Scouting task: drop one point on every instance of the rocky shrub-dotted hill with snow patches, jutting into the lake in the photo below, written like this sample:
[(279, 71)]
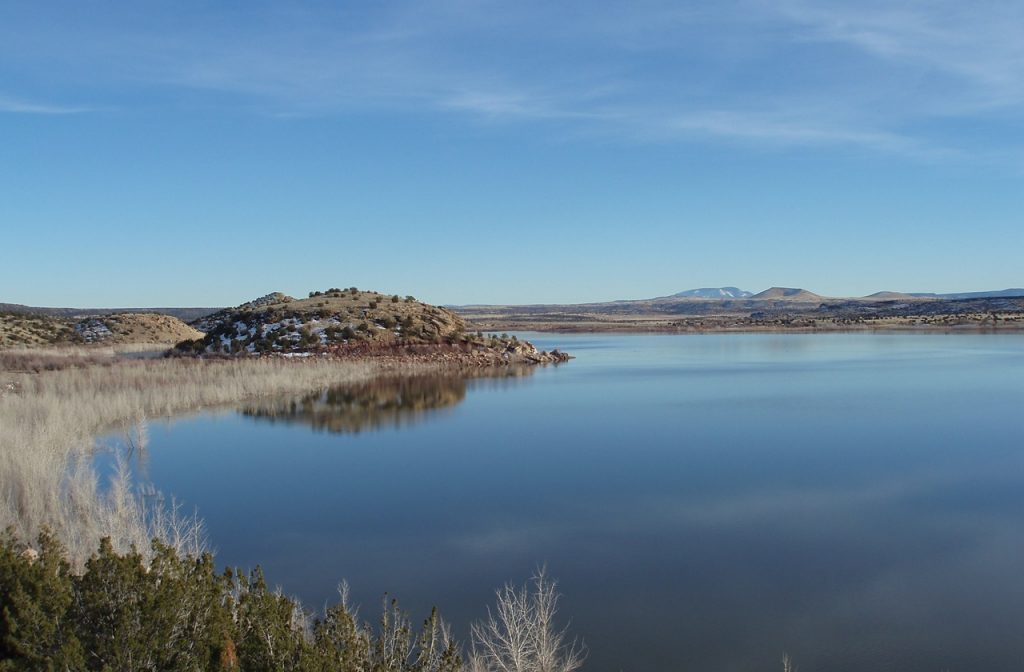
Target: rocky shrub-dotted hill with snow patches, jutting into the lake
[(352, 322)]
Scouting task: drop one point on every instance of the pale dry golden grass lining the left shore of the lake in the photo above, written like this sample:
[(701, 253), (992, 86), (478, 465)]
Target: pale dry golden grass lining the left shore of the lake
[(50, 422)]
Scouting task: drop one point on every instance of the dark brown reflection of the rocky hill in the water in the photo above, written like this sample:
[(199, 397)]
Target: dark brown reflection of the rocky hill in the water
[(392, 402)]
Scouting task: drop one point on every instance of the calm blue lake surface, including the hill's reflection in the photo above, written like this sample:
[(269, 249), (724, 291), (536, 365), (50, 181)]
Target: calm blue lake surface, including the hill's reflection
[(707, 502)]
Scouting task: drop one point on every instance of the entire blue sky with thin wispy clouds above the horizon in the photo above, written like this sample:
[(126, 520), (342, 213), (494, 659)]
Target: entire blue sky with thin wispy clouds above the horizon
[(203, 154)]
